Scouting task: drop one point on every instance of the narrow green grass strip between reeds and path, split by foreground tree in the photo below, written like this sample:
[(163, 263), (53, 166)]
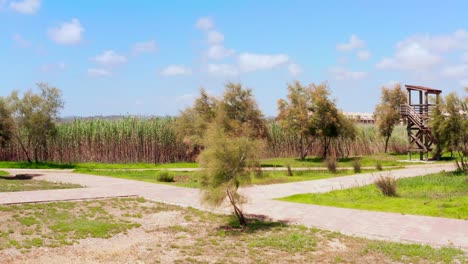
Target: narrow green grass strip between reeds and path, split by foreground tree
[(191, 179)]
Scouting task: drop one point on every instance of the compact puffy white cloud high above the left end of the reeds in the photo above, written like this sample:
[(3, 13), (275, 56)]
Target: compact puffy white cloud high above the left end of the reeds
[(67, 33)]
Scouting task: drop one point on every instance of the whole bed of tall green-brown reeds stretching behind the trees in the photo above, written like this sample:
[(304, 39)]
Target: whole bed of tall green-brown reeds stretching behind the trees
[(153, 140)]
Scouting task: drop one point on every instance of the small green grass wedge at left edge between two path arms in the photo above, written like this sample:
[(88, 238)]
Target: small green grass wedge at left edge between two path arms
[(10, 184)]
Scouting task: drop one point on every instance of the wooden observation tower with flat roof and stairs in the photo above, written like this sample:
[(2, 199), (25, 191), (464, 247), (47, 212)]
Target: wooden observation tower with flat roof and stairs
[(417, 116)]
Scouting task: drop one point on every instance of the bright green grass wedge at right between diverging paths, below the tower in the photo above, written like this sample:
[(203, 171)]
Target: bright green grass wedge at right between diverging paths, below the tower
[(441, 195)]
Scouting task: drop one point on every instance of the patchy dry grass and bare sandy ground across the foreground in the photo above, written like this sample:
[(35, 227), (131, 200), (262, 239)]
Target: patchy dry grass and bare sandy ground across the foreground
[(134, 230)]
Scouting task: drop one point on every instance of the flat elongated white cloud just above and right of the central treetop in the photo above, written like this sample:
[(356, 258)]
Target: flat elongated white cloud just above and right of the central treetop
[(251, 62)]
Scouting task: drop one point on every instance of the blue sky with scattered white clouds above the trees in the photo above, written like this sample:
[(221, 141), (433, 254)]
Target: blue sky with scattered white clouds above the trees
[(152, 57)]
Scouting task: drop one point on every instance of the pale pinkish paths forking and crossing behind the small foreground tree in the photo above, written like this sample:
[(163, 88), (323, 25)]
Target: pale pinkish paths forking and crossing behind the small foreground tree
[(388, 226)]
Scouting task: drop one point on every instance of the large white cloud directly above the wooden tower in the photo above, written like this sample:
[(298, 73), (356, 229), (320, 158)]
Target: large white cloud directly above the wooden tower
[(411, 57)]
